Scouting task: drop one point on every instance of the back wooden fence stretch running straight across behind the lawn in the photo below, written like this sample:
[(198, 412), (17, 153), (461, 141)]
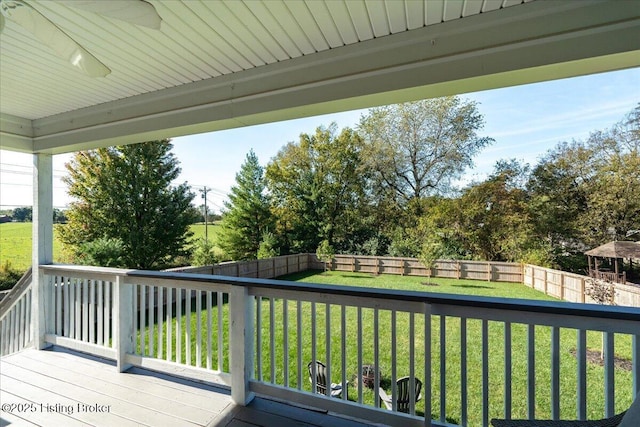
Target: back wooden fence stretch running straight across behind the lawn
[(454, 269)]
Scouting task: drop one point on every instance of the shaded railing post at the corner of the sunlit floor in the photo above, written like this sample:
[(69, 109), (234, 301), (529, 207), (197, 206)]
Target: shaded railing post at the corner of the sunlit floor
[(241, 308)]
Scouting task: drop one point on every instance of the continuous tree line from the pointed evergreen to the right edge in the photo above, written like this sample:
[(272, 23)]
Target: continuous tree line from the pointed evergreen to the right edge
[(387, 188)]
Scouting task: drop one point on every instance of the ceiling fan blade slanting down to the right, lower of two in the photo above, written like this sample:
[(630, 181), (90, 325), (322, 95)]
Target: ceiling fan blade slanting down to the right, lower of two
[(50, 35)]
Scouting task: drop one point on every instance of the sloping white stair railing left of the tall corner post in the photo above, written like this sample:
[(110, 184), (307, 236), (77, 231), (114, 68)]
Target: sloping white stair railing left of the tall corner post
[(15, 317)]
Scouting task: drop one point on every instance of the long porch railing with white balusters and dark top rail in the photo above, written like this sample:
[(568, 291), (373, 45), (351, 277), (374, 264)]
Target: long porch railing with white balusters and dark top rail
[(477, 358)]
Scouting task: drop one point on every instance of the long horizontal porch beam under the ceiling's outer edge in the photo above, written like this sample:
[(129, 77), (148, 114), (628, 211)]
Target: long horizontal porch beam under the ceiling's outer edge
[(534, 42)]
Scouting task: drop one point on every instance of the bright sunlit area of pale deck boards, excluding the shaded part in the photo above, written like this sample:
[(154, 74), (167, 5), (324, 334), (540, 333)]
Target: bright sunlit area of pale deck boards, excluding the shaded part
[(49, 378)]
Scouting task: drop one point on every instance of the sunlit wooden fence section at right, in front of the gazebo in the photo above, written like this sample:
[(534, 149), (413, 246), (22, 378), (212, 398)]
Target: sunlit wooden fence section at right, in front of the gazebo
[(571, 287)]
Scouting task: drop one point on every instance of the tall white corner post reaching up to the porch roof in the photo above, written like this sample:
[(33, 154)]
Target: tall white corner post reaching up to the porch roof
[(42, 243)]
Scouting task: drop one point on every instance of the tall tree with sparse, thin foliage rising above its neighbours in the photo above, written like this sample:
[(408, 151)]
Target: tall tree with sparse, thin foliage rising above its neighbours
[(417, 148)]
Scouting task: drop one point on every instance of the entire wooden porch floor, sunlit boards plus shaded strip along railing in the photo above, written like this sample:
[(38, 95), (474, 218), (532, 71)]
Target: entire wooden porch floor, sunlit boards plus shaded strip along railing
[(61, 388)]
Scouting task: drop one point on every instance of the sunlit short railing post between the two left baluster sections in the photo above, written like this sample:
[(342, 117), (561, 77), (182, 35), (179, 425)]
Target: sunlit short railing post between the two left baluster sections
[(123, 318)]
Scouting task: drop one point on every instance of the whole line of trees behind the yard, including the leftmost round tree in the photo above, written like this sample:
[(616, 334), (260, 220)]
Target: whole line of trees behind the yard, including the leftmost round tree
[(385, 187)]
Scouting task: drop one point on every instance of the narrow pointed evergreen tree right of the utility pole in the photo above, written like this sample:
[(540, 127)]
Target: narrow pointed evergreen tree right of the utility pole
[(248, 214)]
